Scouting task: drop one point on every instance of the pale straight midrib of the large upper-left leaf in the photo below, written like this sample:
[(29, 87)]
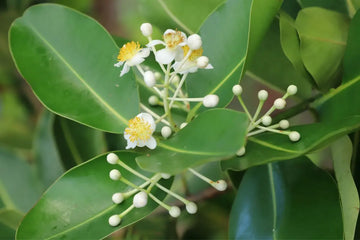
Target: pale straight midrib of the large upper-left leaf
[(77, 75)]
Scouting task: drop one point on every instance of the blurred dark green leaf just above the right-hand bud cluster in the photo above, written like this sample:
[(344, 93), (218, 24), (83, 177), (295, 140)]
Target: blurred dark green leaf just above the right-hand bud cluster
[(281, 74)]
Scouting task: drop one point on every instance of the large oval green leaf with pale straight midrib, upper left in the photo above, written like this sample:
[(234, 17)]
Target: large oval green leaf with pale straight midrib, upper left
[(68, 59)]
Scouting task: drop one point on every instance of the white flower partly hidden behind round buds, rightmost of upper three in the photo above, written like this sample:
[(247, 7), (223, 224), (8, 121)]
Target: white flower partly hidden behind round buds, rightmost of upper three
[(190, 65)]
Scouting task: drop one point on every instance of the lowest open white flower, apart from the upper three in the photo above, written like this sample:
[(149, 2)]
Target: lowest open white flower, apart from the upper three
[(140, 130)]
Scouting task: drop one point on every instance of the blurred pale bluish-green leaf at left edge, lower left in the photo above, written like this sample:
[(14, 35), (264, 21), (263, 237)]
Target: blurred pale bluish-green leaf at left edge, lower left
[(19, 187)]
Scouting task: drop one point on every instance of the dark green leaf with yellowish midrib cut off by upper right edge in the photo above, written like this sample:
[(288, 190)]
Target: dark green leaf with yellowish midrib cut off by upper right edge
[(339, 103)]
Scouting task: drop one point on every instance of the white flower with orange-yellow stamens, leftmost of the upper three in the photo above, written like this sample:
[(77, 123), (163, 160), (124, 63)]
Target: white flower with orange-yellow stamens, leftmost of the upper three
[(131, 54)]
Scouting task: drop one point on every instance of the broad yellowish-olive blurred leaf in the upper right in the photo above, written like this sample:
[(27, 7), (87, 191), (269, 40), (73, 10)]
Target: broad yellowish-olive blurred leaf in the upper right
[(323, 34)]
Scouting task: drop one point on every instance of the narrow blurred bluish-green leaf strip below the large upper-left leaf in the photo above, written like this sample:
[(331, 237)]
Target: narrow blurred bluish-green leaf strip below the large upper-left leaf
[(46, 154)]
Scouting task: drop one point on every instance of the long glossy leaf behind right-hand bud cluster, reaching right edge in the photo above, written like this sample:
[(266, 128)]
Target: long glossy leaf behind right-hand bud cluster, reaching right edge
[(270, 147)]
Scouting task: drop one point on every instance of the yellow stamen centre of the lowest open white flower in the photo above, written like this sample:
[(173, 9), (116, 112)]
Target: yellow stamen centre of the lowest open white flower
[(138, 129)]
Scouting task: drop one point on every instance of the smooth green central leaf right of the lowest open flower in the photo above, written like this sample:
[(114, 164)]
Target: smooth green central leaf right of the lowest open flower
[(214, 135)]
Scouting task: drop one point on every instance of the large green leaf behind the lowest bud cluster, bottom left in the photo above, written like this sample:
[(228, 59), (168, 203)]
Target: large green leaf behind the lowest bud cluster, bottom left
[(79, 203)]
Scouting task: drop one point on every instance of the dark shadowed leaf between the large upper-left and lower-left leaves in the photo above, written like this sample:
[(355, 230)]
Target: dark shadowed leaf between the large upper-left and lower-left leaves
[(77, 143)]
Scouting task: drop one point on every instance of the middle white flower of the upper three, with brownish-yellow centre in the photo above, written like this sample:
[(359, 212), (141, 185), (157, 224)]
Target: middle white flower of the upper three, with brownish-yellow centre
[(173, 41)]
